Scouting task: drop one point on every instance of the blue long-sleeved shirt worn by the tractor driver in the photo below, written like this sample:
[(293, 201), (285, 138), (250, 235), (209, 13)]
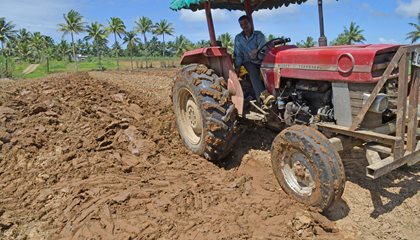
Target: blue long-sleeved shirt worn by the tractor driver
[(244, 46)]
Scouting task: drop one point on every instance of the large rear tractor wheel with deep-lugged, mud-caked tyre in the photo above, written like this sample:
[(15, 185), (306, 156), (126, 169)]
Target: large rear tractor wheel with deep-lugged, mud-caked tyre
[(205, 114)]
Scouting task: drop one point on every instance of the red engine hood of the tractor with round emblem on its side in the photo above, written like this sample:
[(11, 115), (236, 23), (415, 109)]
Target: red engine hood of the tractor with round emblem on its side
[(353, 63)]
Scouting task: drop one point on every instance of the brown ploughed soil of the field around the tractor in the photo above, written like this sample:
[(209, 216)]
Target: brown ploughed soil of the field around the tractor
[(97, 156)]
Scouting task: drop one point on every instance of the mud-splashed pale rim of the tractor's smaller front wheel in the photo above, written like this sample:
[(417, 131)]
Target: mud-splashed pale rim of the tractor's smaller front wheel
[(297, 173)]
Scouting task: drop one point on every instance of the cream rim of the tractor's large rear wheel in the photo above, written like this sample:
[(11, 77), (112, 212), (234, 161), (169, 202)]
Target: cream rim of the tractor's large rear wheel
[(191, 123)]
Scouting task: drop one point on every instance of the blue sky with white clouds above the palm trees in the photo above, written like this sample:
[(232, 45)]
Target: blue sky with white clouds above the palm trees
[(383, 21)]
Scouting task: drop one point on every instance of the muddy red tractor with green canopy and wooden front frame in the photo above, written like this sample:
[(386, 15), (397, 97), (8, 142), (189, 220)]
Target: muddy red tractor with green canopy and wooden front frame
[(323, 99)]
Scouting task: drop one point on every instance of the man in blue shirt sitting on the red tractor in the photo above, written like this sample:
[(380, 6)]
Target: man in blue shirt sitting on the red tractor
[(246, 48)]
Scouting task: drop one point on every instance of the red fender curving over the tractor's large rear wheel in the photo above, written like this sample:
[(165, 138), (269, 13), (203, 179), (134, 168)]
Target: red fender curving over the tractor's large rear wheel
[(218, 59)]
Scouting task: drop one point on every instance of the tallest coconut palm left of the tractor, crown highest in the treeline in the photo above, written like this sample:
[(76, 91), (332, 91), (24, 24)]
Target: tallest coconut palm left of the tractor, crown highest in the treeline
[(73, 24)]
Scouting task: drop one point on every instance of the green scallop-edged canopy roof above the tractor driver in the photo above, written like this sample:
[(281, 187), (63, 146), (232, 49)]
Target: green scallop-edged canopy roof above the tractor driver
[(231, 4)]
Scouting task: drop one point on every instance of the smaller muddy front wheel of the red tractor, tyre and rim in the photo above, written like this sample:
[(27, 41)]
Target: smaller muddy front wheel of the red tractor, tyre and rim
[(307, 167)]
